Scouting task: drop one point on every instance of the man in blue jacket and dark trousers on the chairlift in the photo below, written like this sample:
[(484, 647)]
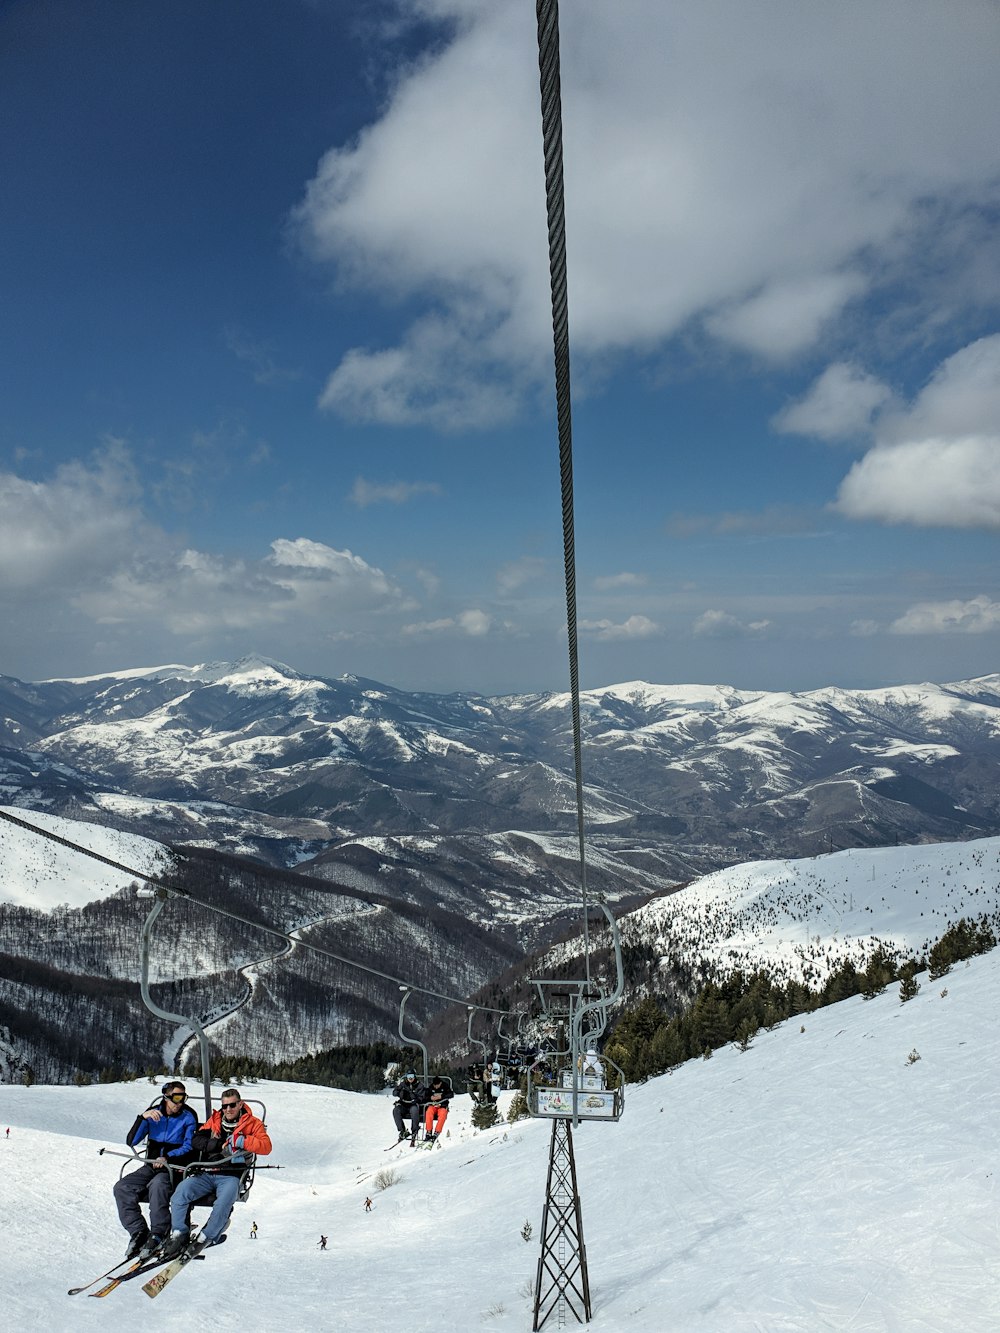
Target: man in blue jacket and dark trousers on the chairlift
[(167, 1128)]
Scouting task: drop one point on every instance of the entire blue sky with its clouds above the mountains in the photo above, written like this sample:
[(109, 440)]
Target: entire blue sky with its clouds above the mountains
[(275, 345)]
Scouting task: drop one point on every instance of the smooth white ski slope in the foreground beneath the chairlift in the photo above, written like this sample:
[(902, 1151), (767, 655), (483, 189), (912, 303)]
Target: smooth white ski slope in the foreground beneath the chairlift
[(821, 1180)]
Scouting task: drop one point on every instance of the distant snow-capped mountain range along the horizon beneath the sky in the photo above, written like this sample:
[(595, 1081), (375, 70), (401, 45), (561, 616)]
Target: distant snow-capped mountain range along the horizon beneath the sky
[(258, 759)]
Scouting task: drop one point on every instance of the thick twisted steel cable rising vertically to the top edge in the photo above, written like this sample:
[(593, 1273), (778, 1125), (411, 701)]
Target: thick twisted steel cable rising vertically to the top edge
[(547, 14)]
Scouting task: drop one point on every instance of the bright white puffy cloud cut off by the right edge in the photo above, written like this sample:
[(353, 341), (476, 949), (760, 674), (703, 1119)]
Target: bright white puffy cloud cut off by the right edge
[(938, 462)]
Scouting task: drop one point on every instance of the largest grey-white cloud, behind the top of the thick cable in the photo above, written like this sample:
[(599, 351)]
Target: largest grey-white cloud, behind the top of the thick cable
[(746, 170)]
